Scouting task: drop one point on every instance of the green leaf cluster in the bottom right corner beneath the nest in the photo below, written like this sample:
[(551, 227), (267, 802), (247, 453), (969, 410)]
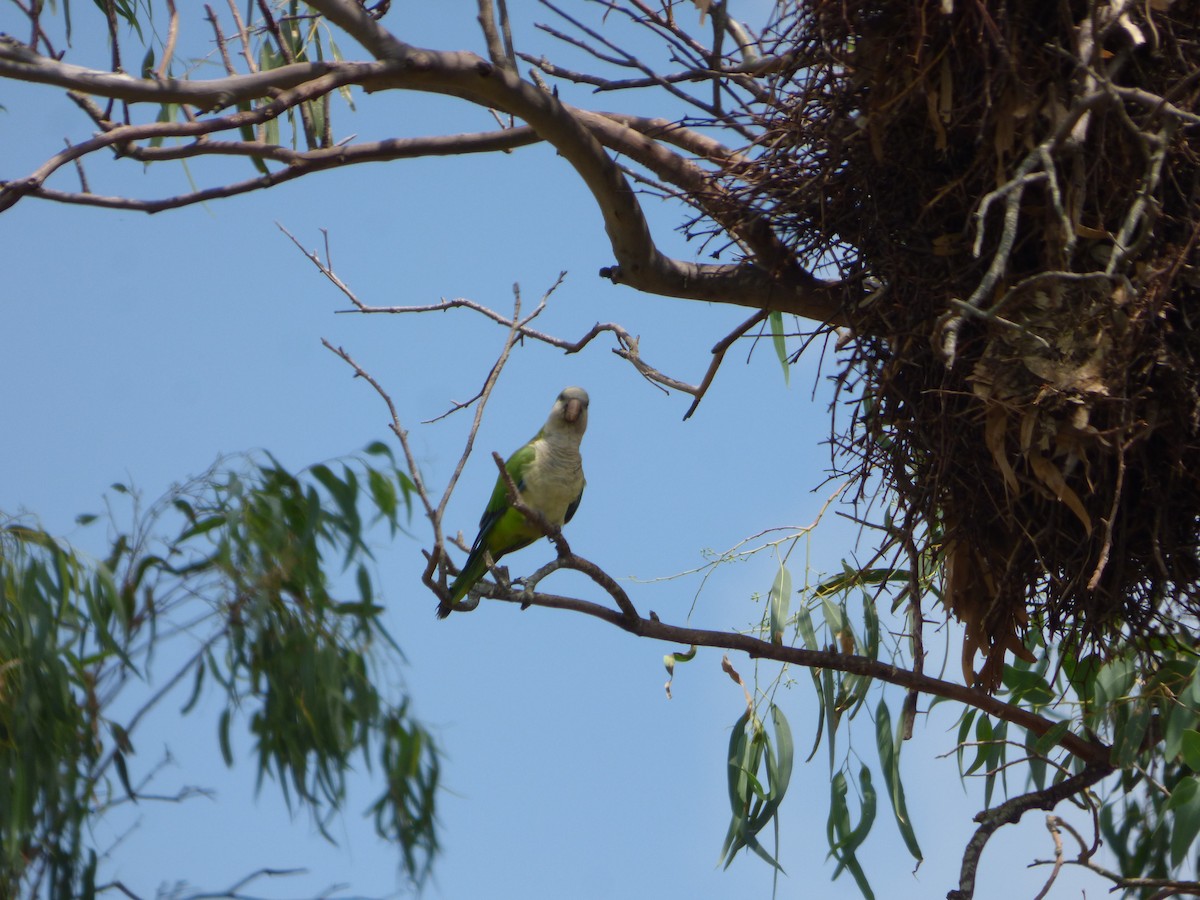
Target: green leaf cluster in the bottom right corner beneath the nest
[(1145, 707)]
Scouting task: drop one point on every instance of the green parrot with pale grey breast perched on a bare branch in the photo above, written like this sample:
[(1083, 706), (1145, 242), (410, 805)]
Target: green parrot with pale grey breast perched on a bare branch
[(549, 475)]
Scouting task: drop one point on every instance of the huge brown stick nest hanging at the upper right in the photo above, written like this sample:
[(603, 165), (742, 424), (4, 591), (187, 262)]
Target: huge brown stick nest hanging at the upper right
[(1018, 185)]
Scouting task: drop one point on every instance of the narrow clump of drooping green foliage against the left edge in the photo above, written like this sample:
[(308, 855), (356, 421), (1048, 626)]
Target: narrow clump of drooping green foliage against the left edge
[(58, 619)]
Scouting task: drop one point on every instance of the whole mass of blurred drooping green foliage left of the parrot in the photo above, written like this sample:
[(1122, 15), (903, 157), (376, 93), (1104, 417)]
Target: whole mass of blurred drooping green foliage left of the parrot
[(269, 575)]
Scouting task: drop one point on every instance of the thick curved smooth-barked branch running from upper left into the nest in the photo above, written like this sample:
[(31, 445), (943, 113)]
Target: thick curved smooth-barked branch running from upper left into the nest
[(772, 280)]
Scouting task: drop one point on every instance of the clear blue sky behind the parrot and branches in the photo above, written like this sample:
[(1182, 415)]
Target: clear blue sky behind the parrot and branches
[(140, 349)]
